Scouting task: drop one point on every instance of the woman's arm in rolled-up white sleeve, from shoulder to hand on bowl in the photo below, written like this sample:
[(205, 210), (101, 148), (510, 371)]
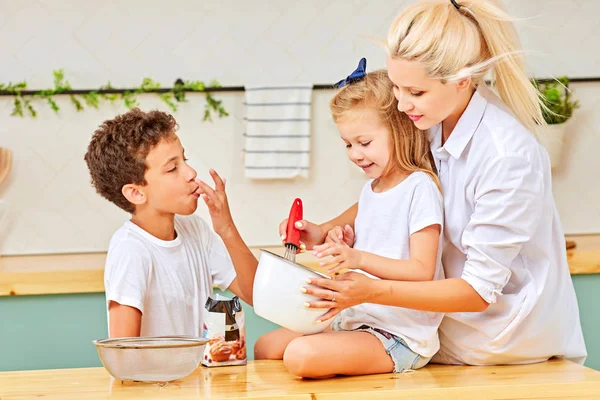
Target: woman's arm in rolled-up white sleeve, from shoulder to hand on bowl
[(507, 212)]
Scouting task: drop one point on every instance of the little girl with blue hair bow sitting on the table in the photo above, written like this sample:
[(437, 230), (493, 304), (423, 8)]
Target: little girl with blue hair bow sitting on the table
[(398, 229)]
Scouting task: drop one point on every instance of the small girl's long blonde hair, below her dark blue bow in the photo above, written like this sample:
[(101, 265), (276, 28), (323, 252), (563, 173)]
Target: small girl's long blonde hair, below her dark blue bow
[(410, 150)]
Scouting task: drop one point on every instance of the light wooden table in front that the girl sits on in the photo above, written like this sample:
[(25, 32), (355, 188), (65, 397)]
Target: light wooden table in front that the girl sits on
[(556, 379)]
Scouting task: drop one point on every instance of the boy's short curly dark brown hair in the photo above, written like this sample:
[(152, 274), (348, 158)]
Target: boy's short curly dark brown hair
[(116, 155)]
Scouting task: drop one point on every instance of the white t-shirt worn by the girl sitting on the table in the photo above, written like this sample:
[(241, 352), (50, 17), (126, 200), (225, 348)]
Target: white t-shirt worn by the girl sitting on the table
[(383, 226)]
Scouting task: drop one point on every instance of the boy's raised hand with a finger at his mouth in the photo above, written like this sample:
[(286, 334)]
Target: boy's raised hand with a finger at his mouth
[(217, 203)]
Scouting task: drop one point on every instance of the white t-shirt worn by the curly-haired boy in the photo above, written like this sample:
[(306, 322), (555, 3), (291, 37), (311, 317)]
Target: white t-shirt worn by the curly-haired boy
[(168, 281)]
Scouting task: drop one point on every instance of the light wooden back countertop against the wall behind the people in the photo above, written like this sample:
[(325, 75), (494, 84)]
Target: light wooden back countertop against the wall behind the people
[(84, 273)]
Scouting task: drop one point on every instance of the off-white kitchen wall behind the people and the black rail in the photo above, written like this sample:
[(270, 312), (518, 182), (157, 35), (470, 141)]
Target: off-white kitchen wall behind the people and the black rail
[(54, 208)]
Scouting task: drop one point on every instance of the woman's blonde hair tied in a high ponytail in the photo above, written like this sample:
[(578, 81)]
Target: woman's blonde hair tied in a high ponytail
[(477, 38)]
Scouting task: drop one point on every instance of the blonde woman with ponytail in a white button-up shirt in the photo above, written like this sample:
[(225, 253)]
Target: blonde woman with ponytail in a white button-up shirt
[(509, 295)]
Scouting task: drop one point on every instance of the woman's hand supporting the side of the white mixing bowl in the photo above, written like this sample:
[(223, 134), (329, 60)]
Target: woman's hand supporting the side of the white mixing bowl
[(344, 291)]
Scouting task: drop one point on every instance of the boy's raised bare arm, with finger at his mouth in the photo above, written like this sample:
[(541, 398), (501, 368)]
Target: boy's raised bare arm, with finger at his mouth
[(243, 260)]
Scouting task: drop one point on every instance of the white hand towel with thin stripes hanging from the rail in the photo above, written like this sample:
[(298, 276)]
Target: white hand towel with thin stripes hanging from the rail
[(277, 138)]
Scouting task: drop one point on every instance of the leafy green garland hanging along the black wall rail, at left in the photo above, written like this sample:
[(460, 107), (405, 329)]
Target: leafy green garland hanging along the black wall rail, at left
[(22, 103)]
